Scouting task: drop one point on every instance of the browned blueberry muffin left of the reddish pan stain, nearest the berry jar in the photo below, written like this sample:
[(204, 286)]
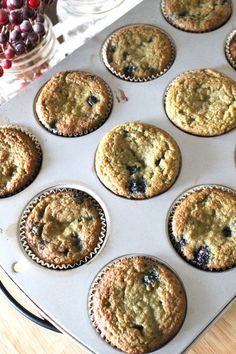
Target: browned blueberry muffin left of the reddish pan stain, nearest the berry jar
[(73, 103)]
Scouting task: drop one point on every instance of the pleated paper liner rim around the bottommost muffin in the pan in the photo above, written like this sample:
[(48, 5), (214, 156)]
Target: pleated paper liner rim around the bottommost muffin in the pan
[(103, 271)]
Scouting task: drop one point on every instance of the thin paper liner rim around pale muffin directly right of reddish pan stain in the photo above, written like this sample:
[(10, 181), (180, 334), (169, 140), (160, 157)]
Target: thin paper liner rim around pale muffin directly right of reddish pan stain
[(185, 131)]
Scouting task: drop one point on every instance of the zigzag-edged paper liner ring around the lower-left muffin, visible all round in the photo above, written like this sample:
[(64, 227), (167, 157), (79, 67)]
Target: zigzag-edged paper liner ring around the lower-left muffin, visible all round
[(30, 206)]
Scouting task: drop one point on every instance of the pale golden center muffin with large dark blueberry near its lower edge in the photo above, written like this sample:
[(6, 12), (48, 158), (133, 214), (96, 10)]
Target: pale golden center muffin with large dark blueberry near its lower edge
[(137, 160)]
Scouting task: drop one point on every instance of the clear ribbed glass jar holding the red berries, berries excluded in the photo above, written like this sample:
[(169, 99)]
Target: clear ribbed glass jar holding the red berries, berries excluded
[(27, 67)]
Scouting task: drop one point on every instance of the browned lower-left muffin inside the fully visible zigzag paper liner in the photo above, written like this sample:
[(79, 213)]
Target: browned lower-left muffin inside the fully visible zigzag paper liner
[(63, 227)]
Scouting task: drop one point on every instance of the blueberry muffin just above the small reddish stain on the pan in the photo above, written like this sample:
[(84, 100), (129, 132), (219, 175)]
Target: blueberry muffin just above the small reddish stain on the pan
[(138, 52)]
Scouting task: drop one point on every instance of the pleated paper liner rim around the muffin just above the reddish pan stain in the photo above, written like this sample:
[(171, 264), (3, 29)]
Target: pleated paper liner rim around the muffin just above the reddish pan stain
[(136, 79)]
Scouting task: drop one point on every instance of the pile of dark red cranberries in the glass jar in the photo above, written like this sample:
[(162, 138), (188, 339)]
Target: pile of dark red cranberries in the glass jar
[(21, 28)]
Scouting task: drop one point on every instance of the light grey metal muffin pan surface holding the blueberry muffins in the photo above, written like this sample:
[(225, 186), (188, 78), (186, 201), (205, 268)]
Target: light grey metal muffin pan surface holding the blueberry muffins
[(136, 226)]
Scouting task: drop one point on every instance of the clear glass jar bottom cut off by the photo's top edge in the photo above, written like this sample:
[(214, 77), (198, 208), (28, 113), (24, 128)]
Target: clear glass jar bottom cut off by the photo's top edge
[(90, 6)]
